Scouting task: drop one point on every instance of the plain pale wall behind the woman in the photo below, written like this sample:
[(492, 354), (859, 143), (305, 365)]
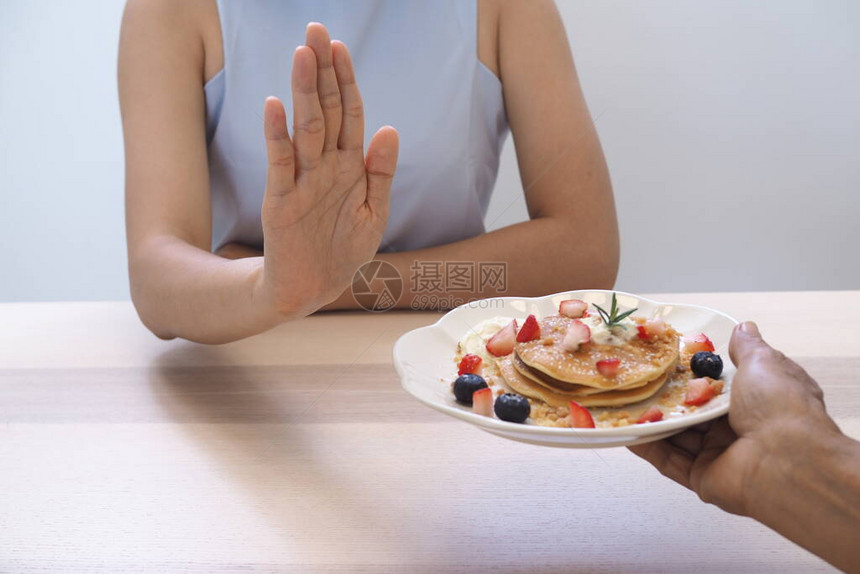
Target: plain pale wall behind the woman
[(732, 131)]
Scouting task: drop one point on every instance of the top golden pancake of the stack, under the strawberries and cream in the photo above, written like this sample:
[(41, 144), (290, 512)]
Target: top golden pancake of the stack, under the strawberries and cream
[(642, 361)]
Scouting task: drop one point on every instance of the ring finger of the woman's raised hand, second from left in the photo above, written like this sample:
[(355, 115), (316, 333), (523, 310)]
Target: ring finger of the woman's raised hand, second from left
[(308, 120)]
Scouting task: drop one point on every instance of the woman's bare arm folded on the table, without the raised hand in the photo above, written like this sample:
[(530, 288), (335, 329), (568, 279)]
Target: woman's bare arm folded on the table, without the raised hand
[(571, 240)]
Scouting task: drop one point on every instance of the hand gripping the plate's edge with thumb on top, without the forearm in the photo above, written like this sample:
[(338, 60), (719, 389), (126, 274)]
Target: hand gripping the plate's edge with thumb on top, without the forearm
[(774, 404)]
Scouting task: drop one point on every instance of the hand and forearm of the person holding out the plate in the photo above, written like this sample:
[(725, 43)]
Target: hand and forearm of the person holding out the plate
[(778, 457)]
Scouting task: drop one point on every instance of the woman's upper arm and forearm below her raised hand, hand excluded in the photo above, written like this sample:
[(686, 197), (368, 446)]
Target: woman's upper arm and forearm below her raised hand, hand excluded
[(178, 287)]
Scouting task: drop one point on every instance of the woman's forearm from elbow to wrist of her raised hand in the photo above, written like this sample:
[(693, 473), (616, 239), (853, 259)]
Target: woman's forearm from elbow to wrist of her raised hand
[(182, 291)]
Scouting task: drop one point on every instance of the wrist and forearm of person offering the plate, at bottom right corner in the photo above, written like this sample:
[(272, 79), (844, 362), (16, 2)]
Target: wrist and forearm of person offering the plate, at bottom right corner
[(810, 493)]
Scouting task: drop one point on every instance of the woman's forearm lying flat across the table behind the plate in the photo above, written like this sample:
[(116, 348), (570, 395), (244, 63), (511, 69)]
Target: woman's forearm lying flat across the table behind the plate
[(536, 257)]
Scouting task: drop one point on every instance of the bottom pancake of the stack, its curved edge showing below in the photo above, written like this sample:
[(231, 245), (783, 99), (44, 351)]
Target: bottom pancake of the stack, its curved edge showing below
[(528, 388)]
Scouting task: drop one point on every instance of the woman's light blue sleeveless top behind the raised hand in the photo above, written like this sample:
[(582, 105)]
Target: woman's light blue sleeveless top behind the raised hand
[(417, 67)]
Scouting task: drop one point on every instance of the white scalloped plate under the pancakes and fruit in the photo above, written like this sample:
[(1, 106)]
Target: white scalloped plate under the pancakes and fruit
[(424, 359)]
